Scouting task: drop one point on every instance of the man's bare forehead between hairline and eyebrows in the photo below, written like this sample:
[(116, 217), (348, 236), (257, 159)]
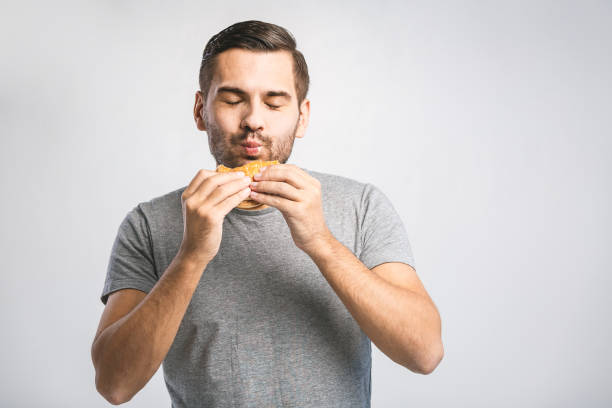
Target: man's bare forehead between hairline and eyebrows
[(254, 71)]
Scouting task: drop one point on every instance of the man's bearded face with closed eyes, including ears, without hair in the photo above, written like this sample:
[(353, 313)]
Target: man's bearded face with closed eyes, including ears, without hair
[(252, 101)]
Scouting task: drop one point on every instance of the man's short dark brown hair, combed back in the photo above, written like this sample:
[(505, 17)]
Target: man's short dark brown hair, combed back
[(257, 36)]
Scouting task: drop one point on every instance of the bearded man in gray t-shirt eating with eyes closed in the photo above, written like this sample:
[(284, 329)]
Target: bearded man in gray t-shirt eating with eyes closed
[(269, 307)]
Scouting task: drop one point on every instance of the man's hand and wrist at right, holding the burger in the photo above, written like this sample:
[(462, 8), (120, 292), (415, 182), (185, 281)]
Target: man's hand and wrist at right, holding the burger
[(297, 195)]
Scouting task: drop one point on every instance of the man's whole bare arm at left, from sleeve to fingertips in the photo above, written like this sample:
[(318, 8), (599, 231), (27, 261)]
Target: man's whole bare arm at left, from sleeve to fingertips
[(129, 350)]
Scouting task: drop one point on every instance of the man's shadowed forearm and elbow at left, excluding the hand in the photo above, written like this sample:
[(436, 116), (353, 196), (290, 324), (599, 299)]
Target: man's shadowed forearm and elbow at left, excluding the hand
[(127, 353)]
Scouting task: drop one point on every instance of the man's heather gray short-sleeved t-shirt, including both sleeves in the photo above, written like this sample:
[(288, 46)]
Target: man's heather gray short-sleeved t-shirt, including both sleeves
[(263, 328)]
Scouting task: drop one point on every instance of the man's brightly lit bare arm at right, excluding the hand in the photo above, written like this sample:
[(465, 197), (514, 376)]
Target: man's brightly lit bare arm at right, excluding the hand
[(402, 321)]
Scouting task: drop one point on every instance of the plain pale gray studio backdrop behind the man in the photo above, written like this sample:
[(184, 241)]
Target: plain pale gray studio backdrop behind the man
[(487, 124)]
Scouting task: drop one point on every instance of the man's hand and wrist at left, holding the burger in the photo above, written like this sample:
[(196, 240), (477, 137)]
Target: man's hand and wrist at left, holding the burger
[(205, 202)]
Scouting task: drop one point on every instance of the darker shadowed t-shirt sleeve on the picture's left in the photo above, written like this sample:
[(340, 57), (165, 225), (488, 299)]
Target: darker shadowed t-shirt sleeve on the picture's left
[(131, 263)]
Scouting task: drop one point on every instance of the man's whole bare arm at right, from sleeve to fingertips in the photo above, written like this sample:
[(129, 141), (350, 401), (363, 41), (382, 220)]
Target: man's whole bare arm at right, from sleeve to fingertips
[(388, 302)]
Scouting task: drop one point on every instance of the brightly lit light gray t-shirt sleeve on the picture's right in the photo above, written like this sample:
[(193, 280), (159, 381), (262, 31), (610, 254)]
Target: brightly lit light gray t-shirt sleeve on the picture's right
[(383, 236)]
